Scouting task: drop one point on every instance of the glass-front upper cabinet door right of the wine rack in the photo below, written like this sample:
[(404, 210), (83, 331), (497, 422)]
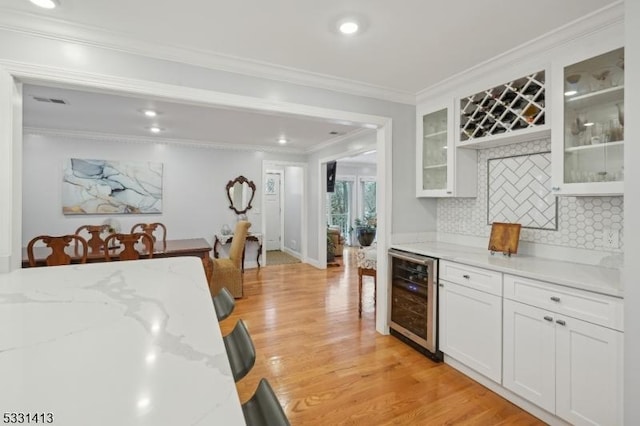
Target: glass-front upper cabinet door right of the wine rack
[(588, 142)]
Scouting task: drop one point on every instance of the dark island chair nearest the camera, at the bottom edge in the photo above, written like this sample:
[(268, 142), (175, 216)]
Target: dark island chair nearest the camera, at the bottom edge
[(263, 408)]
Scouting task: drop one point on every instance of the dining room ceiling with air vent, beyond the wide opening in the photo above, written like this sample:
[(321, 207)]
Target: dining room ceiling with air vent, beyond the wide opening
[(109, 114)]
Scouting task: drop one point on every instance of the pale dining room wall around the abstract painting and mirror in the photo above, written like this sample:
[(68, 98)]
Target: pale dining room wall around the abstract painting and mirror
[(194, 198)]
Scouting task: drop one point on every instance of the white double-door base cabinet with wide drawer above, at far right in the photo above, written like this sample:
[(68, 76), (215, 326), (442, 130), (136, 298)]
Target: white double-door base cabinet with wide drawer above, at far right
[(564, 364)]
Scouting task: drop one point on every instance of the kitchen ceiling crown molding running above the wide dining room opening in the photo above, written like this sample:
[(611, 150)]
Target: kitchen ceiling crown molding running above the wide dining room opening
[(61, 30)]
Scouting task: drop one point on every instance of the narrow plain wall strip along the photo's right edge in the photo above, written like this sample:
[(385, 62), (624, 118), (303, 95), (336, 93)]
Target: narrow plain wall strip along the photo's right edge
[(631, 274)]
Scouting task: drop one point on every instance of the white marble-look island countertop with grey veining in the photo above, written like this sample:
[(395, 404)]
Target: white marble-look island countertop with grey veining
[(117, 343)]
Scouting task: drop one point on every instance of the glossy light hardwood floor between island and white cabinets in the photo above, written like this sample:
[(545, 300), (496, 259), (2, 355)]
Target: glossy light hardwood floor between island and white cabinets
[(329, 368)]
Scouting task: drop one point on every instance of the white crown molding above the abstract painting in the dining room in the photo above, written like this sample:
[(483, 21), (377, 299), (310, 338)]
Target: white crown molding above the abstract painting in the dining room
[(112, 137)]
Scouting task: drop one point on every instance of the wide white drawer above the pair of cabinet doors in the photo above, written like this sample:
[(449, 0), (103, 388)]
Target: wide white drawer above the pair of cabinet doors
[(594, 308)]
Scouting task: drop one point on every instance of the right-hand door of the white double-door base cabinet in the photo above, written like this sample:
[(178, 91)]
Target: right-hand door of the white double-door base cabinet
[(589, 373)]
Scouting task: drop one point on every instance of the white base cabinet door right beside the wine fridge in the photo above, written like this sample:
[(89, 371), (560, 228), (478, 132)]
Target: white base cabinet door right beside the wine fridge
[(470, 328)]
